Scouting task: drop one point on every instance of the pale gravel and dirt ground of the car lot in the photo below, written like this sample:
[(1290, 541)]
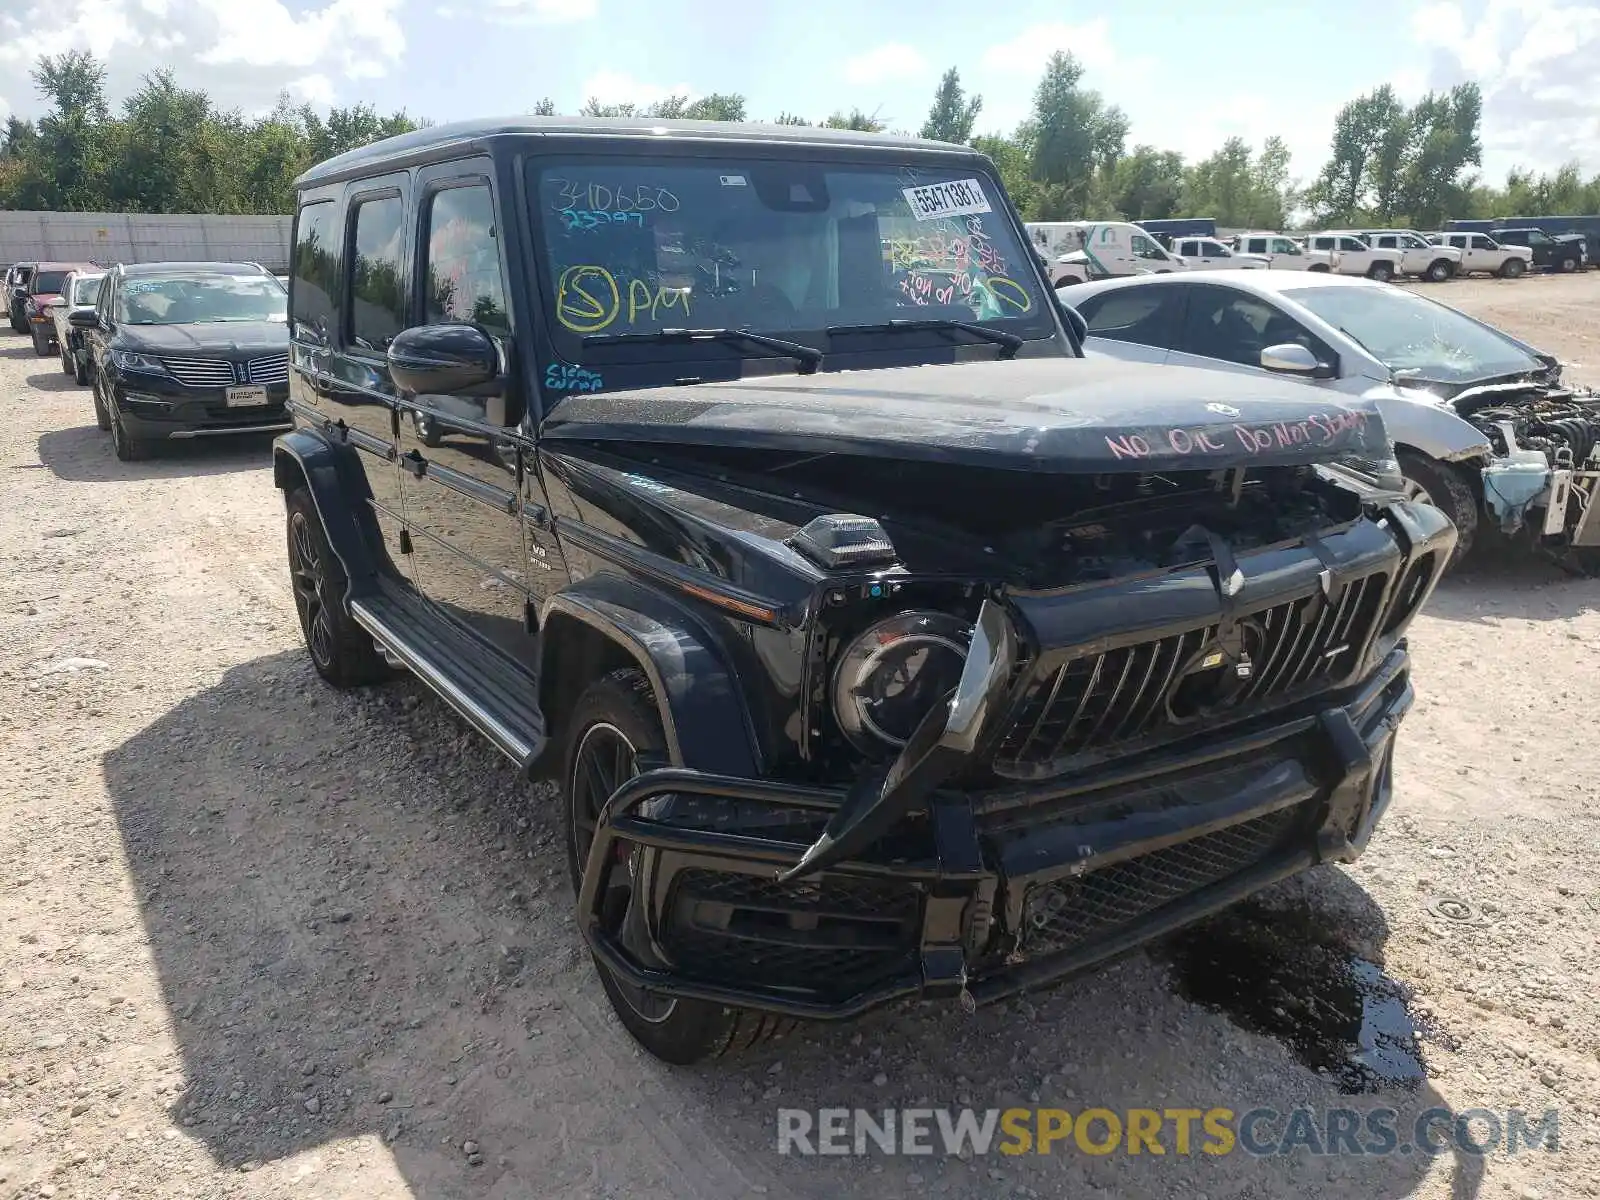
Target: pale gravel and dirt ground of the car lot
[(265, 940)]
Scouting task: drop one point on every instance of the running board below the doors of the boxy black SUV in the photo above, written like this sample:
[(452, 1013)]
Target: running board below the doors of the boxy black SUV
[(498, 698)]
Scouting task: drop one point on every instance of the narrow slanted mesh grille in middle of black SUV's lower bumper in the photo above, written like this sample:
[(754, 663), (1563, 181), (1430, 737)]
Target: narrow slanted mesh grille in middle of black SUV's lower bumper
[(1068, 913)]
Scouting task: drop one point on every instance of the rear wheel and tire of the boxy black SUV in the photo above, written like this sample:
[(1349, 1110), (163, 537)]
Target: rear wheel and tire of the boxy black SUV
[(342, 650)]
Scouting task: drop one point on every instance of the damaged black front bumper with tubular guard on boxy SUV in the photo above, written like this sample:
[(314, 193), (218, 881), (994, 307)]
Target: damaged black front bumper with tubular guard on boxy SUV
[(985, 895)]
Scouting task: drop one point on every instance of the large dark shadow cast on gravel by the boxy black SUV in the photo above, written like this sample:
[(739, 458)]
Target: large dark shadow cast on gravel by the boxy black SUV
[(362, 927)]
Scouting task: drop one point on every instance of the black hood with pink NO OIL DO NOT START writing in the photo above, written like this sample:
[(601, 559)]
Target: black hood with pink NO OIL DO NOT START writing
[(1058, 415)]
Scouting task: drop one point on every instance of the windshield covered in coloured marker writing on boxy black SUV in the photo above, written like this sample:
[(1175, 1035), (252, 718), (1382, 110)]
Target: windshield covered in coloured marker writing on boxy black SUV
[(777, 247)]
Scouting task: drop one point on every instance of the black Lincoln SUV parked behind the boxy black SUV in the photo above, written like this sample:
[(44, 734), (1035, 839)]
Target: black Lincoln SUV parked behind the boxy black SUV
[(186, 350)]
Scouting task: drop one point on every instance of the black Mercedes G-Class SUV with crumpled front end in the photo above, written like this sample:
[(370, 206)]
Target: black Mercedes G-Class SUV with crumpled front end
[(751, 484)]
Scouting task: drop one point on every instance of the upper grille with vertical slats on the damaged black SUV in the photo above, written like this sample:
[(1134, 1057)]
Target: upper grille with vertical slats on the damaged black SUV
[(1097, 703)]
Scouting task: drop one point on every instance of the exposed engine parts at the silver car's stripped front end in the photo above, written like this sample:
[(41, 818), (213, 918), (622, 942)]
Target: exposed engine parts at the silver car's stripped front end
[(1546, 474)]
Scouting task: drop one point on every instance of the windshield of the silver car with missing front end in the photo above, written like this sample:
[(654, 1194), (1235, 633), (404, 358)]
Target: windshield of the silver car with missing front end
[(1415, 337)]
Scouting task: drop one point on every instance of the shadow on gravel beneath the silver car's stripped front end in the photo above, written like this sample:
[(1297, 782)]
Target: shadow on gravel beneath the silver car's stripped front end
[(1500, 583)]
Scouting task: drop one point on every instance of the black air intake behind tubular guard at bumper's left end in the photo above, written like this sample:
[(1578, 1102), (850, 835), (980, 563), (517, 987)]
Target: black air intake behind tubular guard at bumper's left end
[(833, 937)]
